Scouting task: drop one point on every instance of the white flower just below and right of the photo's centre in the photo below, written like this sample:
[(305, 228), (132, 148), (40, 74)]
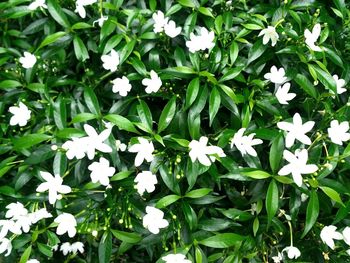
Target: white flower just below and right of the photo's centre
[(199, 150)]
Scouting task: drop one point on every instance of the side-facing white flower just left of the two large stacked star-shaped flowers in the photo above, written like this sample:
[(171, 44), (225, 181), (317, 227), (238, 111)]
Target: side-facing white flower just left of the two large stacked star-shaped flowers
[(245, 143)]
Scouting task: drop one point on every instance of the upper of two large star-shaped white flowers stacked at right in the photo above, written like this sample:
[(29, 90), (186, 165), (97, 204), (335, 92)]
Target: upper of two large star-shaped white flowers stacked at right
[(296, 130)]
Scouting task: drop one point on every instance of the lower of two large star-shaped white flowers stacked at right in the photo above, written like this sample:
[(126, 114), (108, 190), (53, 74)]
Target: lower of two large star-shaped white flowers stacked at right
[(297, 165)]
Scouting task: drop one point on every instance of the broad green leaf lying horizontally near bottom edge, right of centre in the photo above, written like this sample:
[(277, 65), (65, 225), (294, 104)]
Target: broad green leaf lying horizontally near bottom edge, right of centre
[(222, 240)]
